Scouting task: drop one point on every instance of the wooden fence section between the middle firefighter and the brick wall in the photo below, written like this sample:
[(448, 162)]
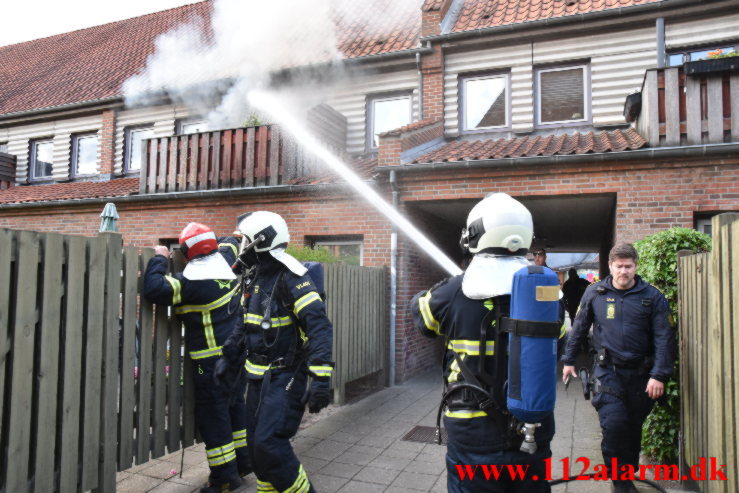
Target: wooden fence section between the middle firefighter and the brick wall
[(356, 304)]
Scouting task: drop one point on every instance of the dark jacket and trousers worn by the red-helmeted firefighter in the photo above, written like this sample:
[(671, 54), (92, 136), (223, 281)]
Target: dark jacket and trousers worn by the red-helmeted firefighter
[(210, 311)]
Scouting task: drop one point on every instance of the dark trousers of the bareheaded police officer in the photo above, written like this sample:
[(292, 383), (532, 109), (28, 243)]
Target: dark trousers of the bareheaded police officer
[(622, 407)]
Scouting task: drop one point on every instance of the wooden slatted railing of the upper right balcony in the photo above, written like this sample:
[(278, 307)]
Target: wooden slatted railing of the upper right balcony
[(680, 109)]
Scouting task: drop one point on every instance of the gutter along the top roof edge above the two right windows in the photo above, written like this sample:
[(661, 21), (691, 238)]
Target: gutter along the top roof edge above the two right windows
[(557, 21)]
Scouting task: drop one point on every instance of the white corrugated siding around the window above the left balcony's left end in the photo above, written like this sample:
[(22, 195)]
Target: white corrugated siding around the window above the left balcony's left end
[(162, 118)]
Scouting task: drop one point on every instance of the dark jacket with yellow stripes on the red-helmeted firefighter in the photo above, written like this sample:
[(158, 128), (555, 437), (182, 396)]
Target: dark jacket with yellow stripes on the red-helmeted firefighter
[(208, 308)]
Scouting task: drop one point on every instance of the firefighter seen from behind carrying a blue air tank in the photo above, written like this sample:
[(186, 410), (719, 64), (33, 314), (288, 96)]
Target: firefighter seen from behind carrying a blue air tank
[(471, 312)]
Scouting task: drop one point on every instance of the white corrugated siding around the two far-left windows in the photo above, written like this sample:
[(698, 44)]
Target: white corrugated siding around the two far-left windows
[(61, 131)]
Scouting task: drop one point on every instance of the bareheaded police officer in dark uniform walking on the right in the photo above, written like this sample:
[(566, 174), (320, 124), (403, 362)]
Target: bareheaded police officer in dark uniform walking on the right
[(635, 353)]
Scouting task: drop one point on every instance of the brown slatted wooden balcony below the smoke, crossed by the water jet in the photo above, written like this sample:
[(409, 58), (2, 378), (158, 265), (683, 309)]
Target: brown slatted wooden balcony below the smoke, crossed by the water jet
[(236, 158)]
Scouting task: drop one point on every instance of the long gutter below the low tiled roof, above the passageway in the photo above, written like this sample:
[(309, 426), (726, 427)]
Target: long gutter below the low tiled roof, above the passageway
[(705, 150)]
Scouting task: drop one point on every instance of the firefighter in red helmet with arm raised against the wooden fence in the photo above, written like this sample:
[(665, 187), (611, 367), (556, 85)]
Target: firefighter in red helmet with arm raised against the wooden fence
[(204, 299)]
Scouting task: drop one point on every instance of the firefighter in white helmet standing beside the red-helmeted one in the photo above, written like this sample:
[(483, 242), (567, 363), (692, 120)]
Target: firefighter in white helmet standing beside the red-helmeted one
[(287, 337)]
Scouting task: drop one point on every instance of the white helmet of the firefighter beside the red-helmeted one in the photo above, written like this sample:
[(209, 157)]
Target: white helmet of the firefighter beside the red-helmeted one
[(273, 228)]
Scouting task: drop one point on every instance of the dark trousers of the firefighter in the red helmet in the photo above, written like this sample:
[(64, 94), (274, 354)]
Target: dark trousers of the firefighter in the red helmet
[(221, 421)]
